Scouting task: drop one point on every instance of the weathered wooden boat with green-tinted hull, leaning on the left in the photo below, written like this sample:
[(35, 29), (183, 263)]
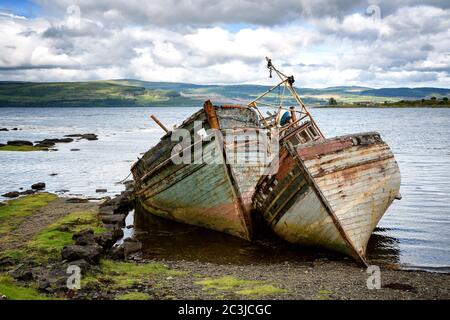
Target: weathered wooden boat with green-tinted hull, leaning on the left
[(213, 184)]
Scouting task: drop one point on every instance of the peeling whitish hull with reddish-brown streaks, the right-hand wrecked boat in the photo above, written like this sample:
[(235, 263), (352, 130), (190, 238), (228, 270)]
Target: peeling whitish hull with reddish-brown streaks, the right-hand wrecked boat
[(330, 193)]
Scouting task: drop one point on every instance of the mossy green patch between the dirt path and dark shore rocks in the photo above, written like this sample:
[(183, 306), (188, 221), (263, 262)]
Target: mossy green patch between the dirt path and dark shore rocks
[(54, 237)]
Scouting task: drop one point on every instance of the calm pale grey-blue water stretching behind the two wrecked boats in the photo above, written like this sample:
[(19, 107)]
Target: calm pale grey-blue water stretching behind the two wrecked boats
[(415, 230)]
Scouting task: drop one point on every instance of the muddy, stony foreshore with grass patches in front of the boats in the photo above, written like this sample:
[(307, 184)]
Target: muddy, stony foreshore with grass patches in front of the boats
[(42, 234)]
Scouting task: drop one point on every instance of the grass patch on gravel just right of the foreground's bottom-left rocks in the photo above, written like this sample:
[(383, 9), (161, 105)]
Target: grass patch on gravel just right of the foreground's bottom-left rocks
[(125, 274)]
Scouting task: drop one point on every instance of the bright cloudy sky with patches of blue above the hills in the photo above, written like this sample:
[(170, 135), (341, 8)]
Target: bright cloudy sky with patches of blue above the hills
[(323, 43)]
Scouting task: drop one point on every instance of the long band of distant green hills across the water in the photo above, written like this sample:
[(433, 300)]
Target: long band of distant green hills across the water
[(136, 93)]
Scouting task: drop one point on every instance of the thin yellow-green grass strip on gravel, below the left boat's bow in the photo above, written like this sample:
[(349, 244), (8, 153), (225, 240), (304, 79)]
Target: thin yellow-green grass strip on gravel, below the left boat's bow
[(239, 286)]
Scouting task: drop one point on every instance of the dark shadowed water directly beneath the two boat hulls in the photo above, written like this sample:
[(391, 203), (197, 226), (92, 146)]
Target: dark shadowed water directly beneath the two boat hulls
[(170, 240)]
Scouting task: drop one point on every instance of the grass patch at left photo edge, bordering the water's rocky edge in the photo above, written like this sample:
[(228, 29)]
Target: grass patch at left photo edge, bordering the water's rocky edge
[(13, 213)]
